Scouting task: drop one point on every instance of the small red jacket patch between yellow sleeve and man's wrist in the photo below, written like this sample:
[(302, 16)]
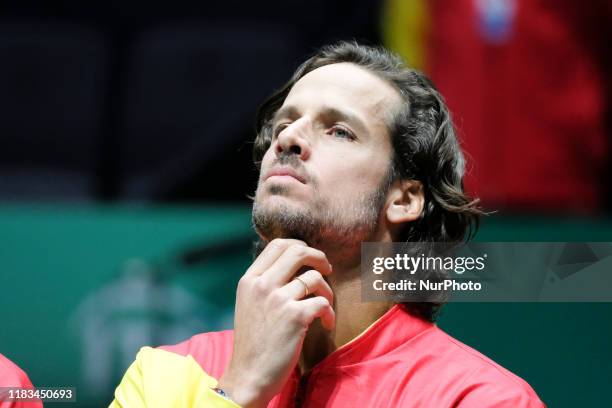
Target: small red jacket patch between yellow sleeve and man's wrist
[(212, 350)]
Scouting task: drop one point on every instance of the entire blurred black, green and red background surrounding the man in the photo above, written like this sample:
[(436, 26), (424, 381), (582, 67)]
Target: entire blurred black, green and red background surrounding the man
[(125, 165)]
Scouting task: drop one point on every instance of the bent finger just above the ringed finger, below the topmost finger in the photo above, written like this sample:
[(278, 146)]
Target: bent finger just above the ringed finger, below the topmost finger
[(290, 262)]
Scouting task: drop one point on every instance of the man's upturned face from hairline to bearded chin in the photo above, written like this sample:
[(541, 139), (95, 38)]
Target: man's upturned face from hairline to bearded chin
[(324, 177)]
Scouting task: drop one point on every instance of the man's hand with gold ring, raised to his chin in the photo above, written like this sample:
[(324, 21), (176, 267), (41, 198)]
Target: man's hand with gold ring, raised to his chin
[(272, 317)]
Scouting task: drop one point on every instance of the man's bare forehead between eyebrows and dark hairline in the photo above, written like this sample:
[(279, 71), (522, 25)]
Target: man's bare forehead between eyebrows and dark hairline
[(346, 86)]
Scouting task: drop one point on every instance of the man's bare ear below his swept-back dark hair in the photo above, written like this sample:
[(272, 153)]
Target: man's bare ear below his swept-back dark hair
[(406, 200)]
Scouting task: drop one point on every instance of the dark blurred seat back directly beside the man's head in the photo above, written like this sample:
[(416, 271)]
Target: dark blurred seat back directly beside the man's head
[(190, 92)]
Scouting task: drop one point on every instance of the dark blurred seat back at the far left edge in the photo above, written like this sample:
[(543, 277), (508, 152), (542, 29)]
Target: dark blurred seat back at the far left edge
[(53, 80)]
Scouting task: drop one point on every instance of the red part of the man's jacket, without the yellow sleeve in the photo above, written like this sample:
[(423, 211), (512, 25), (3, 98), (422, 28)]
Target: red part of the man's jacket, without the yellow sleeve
[(399, 361)]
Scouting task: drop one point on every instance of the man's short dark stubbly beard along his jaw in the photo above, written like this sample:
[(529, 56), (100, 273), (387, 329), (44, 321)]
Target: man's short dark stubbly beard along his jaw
[(339, 227)]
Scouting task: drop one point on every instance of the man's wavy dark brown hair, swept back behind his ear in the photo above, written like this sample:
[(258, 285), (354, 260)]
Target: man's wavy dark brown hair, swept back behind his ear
[(424, 141)]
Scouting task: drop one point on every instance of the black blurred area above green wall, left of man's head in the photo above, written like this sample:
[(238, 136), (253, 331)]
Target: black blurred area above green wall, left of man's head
[(129, 101)]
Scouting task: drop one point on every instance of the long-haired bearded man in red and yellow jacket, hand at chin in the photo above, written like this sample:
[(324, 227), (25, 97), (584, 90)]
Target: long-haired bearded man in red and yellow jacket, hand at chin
[(355, 147)]
